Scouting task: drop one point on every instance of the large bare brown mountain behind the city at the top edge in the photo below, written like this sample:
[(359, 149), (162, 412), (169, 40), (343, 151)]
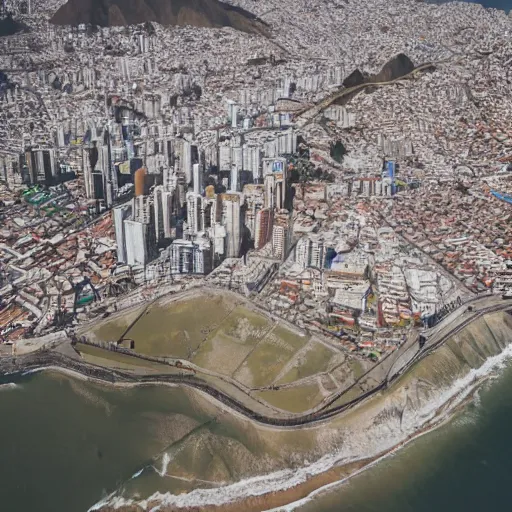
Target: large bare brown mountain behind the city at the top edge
[(198, 13)]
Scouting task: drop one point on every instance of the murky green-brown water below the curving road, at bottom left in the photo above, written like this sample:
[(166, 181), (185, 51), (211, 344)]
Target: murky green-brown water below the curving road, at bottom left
[(66, 443)]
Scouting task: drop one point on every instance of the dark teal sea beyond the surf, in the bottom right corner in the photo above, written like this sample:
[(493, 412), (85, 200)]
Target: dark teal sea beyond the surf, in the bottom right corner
[(464, 466)]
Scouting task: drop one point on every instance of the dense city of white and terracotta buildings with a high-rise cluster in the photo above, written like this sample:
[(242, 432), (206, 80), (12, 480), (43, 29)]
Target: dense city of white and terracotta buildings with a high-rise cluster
[(358, 187)]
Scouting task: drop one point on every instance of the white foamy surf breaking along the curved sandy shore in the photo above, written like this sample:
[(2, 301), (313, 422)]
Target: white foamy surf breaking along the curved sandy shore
[(431, 413)]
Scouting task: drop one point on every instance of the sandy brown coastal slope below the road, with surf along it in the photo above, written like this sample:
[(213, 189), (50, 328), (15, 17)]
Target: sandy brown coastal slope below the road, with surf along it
[(428, 394)]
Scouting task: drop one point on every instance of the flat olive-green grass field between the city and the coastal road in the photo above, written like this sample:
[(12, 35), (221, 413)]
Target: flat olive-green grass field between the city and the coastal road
[(224, 334)]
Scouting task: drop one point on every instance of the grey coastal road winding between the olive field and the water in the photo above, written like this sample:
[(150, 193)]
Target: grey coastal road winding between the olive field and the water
[(451, 325)]
